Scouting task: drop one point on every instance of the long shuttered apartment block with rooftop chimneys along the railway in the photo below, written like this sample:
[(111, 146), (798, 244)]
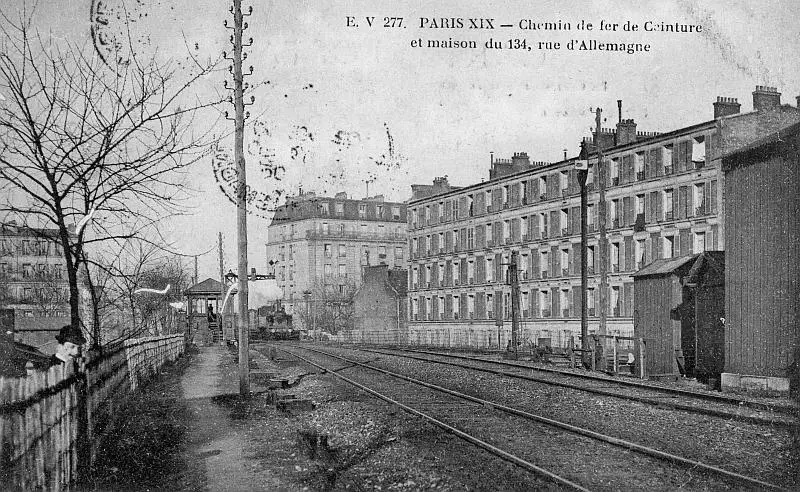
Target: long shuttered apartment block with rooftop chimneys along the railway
[(662, 199)]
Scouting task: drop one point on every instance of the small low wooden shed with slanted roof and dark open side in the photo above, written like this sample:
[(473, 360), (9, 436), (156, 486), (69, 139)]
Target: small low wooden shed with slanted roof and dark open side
[(678, 310)]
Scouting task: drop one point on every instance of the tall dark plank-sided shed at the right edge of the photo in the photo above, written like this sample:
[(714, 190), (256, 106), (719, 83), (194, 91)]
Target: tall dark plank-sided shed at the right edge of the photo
[(762, 243)]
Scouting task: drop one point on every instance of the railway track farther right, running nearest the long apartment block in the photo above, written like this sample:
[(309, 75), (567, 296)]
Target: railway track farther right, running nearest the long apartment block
[(723, 406)]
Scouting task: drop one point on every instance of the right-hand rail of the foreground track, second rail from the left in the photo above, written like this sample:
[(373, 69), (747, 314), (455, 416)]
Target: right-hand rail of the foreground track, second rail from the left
[(697, 465)]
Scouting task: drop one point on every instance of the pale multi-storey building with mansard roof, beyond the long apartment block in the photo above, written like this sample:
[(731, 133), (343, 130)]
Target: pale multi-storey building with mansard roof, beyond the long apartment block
[(321, 244)]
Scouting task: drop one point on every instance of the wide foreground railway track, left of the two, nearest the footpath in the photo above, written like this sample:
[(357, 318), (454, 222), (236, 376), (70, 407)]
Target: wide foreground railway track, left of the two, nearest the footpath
[(584, 459)]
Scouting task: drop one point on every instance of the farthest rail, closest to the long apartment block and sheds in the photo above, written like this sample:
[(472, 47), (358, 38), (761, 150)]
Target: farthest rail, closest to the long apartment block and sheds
[(756, 405)]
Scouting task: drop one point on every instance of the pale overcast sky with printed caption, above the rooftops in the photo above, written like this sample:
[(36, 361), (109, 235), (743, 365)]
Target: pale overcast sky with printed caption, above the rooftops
[(424, 112)]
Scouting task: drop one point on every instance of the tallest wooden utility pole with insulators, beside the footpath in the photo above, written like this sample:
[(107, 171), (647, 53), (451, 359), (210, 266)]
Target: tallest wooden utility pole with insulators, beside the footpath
[(241, 193)]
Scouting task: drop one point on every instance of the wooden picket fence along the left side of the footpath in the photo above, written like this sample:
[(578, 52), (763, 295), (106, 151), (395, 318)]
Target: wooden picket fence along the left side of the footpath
[(51, 421)]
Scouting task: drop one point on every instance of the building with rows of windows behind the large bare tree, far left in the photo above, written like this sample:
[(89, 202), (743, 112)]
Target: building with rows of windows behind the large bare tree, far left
[(33, 283)]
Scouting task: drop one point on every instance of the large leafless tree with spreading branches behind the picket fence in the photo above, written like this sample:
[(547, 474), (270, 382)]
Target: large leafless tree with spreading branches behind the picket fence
[(83, 140)]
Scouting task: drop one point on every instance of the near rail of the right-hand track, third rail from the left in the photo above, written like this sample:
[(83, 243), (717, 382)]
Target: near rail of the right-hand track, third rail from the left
[(642, 399)]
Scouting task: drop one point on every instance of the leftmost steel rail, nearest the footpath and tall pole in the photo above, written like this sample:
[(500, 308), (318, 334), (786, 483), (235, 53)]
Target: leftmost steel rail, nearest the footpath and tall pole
[(463, 435)]
